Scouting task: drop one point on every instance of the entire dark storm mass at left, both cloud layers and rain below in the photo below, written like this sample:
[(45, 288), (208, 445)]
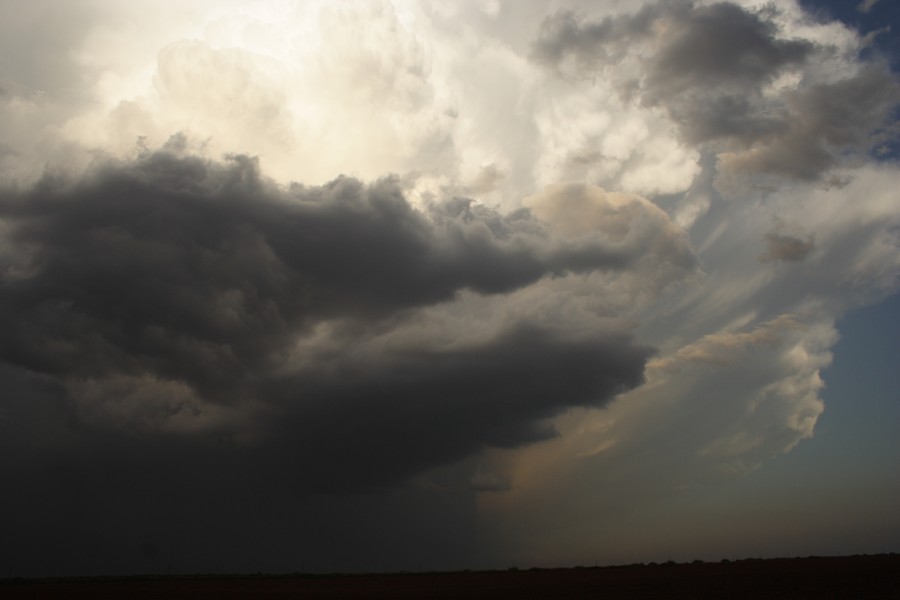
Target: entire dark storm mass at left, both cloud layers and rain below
[(151, 313)]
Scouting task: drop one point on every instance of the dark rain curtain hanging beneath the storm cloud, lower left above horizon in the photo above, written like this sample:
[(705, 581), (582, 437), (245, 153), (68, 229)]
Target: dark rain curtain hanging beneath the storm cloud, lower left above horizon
[(89, 501)]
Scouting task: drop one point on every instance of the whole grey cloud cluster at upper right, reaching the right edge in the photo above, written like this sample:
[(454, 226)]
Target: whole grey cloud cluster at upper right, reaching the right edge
[(708, 67)]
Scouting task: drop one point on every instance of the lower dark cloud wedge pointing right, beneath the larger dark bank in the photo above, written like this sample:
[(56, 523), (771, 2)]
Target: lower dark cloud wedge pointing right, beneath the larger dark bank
[(430, 407)]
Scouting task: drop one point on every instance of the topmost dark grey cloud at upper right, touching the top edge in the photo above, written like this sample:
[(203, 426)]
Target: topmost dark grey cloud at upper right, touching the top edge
[(721, 46)]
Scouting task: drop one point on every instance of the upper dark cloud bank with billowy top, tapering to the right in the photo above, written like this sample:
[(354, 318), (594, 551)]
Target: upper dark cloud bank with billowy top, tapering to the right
[(203, 272)]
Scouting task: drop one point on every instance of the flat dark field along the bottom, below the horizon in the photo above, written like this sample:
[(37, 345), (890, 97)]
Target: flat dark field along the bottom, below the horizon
[(858, 577)]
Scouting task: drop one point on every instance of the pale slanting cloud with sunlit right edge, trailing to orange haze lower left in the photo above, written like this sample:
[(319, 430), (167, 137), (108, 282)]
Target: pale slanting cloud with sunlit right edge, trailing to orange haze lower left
[(717, 408)]
